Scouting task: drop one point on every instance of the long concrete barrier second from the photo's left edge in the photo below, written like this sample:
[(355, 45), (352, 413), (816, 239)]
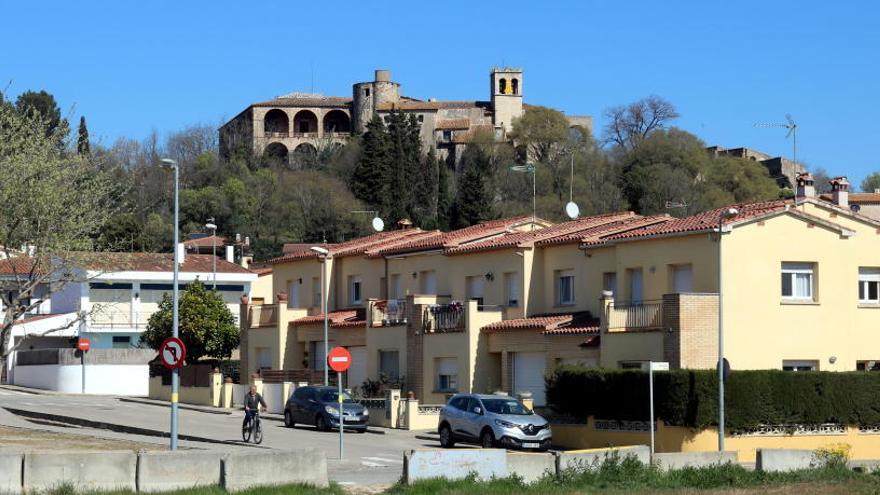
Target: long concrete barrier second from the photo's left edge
[(85, 471)]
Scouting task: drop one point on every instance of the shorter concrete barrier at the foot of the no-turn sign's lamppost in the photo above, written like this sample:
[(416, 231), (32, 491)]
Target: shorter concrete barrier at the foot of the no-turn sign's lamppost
[(168, 471)]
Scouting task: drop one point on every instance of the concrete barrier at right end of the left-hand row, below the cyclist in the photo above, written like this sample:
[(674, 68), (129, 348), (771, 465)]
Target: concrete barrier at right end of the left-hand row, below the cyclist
[(247, 470)]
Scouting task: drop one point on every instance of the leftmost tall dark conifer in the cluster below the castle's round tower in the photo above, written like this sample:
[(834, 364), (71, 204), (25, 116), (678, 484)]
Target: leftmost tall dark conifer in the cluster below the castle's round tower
[(370, 175)]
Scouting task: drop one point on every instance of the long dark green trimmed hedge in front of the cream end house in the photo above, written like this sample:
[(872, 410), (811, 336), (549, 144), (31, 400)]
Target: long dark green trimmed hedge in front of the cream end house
[(690, 397)]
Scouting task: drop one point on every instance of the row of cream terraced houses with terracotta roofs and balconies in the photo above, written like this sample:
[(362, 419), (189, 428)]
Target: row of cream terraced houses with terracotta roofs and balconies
[(497, 305)]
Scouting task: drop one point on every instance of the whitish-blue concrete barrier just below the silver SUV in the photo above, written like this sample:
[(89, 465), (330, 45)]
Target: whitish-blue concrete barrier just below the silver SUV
[(454, 464)]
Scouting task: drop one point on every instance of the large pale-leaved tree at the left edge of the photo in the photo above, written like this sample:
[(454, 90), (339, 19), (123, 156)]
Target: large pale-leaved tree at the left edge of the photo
[(53, 204)]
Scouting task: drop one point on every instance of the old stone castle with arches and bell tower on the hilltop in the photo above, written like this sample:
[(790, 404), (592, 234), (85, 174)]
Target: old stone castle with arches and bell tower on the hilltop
[(297, 125)]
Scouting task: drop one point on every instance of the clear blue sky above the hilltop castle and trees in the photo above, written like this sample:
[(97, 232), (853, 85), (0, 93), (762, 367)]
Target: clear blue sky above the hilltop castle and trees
[(131, 67)]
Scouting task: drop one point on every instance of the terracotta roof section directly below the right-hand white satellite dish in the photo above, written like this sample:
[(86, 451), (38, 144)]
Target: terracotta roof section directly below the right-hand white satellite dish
[(567, 230)]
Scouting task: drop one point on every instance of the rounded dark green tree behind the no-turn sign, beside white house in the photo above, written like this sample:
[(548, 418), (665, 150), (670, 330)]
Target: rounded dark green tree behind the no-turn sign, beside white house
[(206, 325)]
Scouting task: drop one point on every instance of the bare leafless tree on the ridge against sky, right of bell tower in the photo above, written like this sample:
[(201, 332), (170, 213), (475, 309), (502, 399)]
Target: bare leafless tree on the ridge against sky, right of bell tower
[(631, 124)]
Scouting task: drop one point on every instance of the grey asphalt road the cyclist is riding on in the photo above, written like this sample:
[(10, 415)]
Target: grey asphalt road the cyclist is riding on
[(371, 458)]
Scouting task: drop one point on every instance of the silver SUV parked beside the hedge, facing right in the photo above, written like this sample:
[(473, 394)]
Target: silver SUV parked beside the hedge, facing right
[(492, 420)]
